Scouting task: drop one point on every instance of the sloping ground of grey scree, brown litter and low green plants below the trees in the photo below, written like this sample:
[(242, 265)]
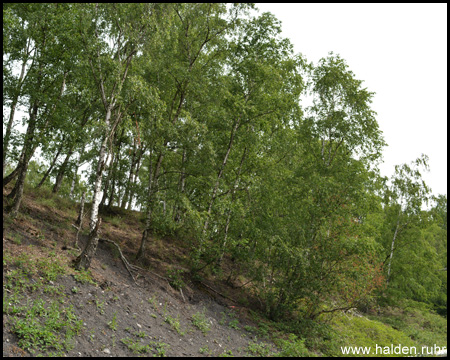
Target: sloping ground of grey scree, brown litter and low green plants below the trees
[(50, 309)]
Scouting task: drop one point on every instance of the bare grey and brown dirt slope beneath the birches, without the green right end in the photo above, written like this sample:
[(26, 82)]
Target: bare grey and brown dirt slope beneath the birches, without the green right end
[(119, 317)]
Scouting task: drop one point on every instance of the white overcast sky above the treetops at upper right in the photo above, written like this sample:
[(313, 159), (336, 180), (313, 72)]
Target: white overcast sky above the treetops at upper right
[(400, 51)]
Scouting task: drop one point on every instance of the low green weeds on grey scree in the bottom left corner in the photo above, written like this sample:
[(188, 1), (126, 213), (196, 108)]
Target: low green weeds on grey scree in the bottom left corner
[(42, 327)]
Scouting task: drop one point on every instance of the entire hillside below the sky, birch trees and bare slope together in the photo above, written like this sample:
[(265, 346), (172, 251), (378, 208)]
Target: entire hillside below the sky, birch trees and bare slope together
[(236, 203)]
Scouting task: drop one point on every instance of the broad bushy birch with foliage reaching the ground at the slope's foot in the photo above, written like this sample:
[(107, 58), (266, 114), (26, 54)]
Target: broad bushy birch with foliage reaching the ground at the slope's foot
[(307, 242)]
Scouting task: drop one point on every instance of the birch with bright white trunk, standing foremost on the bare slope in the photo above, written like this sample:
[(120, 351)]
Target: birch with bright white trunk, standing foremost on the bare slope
[(127, 26)]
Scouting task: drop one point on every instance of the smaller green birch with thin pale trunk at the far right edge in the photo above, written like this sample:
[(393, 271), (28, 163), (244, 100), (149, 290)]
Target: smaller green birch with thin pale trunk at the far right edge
[(412, 239)]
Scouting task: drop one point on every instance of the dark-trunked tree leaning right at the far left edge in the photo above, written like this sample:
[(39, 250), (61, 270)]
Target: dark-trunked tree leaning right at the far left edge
[(45, 83)]
